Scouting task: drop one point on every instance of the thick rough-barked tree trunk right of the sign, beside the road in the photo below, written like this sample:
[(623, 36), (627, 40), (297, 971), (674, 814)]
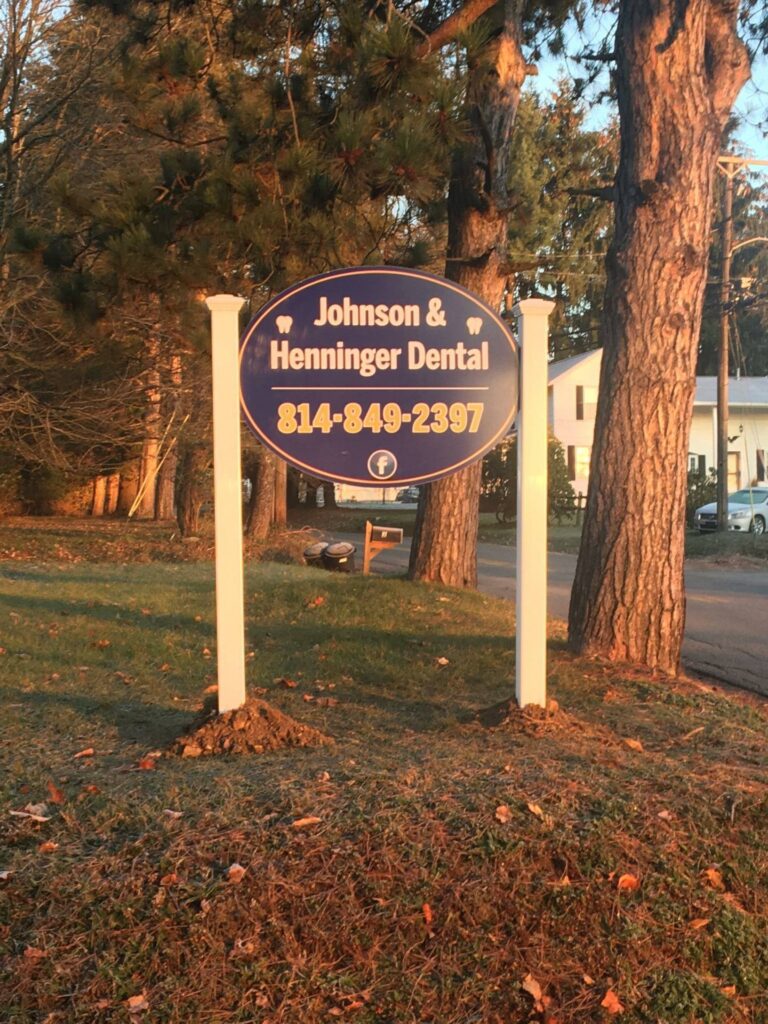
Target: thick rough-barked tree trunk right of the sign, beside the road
[(680, 68)]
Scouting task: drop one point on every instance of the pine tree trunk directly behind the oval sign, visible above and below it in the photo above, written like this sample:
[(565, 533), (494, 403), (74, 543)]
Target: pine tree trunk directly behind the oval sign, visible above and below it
[(445, 545)]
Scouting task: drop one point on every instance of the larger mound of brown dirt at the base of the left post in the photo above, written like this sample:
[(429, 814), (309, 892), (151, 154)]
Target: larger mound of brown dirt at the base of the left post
[(253, 729)]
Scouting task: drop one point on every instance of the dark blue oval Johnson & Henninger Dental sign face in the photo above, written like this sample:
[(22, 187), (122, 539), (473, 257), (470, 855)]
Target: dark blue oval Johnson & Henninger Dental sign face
[(378, 376)]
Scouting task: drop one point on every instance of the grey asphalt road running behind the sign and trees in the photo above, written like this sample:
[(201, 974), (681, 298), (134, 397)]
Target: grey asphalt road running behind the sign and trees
[(727, 633)]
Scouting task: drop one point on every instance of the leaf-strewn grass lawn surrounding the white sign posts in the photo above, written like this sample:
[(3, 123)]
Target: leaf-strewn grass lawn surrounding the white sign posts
[(610, 863)]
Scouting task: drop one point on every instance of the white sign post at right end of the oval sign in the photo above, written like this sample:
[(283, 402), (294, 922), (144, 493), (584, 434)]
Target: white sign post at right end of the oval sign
[(531, 602)]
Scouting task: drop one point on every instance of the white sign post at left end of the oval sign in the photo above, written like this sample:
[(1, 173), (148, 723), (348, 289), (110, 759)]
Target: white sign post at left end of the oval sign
[(228, 483)]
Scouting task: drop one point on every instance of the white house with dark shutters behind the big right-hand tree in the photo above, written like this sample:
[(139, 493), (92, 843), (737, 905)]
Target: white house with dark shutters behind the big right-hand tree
[(573, 399)]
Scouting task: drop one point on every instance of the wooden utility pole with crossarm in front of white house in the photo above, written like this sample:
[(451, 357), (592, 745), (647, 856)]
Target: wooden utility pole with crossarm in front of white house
[(731, 167)]
